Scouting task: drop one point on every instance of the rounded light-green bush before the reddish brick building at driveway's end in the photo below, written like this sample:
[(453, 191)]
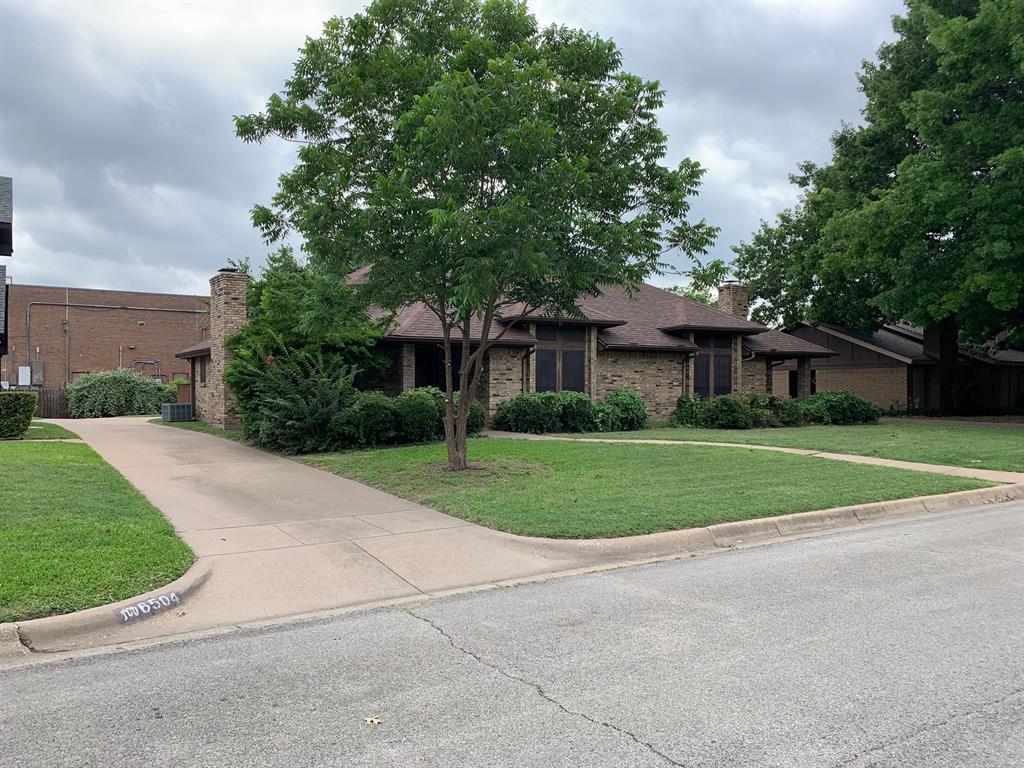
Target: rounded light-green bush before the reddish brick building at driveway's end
[(120, 393)]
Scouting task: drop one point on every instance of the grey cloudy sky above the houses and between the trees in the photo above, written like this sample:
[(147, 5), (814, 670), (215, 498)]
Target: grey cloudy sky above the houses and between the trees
[(116, 118)]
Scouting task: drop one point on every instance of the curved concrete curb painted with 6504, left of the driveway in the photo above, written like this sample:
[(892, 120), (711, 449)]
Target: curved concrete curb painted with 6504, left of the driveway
[(103, 621)]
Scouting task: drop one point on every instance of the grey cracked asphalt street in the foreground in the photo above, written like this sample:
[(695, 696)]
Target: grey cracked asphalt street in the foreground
[(893, 646)]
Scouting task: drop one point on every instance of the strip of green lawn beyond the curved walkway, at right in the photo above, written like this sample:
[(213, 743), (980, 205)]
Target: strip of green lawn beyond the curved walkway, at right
[(932, 443)]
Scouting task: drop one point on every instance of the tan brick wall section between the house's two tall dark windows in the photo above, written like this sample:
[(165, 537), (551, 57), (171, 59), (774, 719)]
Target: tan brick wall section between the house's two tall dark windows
[(658, 377)]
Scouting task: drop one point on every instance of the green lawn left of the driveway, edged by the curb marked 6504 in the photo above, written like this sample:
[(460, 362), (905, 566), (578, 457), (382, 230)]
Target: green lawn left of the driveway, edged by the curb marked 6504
[(75, 534)]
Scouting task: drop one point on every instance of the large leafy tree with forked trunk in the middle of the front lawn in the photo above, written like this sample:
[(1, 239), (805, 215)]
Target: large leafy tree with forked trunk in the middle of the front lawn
[(484, 166)]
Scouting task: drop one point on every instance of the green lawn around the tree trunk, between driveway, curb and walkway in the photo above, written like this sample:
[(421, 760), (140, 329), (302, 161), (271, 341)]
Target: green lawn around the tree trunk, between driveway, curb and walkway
[(583, 490)]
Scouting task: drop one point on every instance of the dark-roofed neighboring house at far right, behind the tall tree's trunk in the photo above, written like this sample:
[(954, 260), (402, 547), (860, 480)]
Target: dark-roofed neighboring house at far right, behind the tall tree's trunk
[(894, 366)]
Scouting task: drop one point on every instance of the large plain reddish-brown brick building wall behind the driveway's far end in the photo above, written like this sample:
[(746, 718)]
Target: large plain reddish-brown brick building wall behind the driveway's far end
[(99, 339)]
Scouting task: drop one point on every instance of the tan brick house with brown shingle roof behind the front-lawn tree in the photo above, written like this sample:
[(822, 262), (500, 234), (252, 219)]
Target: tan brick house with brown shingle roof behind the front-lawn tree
[(655, 343)]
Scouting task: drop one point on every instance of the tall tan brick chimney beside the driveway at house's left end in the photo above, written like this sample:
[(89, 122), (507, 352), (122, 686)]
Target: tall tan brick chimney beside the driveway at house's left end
[(228, 316)]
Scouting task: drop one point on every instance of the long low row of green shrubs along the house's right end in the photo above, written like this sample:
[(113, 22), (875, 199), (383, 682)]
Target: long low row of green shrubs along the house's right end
[(757, 411)]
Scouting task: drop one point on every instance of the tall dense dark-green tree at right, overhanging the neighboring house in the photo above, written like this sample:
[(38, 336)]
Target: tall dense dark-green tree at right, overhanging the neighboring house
[(920, 216)]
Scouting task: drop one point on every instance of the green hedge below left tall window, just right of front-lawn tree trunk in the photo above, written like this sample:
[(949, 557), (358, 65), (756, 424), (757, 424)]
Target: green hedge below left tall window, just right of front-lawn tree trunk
[(538, 413)]
